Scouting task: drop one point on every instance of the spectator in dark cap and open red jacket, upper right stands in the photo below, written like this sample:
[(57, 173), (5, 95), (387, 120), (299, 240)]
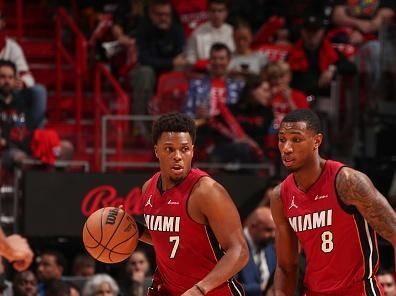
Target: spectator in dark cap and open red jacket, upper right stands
[(313, 60)]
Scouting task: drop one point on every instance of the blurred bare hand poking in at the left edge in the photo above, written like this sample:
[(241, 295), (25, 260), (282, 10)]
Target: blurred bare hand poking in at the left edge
[(20, 253)]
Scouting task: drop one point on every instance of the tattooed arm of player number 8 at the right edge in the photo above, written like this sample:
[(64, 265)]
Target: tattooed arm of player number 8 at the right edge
[(355, 188)]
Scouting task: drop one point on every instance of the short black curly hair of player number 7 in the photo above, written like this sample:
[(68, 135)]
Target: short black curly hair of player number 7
[(174, 122)]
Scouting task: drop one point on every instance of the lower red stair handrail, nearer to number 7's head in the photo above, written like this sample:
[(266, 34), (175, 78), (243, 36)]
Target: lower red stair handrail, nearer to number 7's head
[(122, 101)]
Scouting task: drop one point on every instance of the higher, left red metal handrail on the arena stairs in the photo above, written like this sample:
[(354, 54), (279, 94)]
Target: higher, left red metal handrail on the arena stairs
[(78, 62)]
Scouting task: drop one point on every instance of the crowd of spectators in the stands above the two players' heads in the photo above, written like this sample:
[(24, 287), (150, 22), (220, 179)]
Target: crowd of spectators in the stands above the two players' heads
[(295, 48)]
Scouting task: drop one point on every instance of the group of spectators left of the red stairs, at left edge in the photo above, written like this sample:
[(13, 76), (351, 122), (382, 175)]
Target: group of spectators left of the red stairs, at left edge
[(23, 106)]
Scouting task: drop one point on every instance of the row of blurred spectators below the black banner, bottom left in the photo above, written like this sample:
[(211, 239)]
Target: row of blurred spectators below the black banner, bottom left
[(50, 275)]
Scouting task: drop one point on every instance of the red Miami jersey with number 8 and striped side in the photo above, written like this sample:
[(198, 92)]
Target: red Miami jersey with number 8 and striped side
[(340, 246)]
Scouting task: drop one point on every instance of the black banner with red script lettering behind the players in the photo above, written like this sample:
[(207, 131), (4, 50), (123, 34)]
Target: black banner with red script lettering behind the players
[(57, 204)]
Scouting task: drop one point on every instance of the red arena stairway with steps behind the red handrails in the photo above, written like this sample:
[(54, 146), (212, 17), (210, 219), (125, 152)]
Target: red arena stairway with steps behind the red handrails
[(39, 44)]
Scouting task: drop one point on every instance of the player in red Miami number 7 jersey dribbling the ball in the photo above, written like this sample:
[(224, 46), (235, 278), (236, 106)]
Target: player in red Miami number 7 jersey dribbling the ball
[(190, 219)]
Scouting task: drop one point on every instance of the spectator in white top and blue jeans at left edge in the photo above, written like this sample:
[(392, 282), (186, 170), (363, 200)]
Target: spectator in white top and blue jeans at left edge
[(34, 94)]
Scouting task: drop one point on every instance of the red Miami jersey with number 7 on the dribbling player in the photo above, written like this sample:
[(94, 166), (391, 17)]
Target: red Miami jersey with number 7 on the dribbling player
[(186, 251)]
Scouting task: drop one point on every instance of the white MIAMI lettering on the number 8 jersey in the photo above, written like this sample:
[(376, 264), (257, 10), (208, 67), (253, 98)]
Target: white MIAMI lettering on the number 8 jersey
[(312, 221)]
